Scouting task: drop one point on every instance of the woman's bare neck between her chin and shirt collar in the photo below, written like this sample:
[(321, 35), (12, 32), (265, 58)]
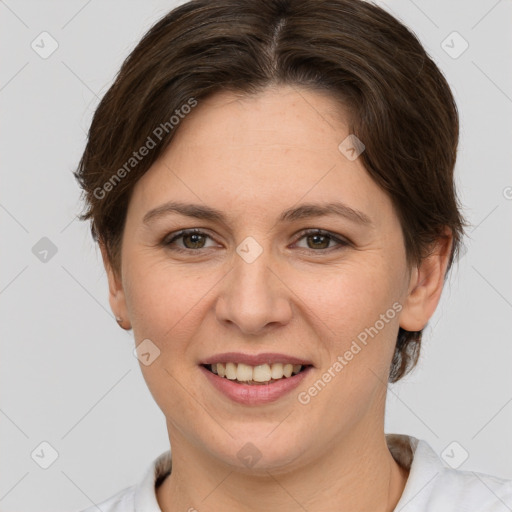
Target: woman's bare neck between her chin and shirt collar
[(357, 473)]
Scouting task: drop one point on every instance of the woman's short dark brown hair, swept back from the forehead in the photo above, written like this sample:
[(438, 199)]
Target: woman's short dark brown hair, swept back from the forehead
[(400, 106)]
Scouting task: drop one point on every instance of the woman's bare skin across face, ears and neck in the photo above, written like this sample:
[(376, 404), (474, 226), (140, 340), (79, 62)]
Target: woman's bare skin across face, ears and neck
[(253, 157)]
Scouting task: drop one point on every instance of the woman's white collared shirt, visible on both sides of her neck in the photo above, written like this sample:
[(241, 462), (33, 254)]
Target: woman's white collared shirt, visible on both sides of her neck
[(432, 485)]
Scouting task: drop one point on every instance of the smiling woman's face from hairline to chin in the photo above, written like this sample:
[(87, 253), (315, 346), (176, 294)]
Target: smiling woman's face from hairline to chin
[(255, 286)]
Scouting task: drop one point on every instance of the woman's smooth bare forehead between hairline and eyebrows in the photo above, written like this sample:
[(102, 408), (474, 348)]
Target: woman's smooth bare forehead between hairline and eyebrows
[(274, 148)]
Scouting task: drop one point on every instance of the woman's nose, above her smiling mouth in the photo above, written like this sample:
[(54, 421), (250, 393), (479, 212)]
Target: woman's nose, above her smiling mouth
[(254, 297)]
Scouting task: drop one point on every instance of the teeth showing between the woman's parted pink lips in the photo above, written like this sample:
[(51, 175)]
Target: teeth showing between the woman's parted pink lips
[(255, 375)]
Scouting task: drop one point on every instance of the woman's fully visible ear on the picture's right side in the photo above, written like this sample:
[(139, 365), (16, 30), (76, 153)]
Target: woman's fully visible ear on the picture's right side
[(426, 284)]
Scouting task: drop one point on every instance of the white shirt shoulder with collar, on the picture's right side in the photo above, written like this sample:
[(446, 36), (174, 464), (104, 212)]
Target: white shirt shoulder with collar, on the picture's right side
[(433, 485)]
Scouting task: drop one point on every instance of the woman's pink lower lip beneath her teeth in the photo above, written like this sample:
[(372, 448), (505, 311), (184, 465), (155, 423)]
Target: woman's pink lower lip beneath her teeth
[(255, 394)]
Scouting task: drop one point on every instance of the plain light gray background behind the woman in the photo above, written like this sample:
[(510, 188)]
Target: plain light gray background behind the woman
[(68, 374)]
